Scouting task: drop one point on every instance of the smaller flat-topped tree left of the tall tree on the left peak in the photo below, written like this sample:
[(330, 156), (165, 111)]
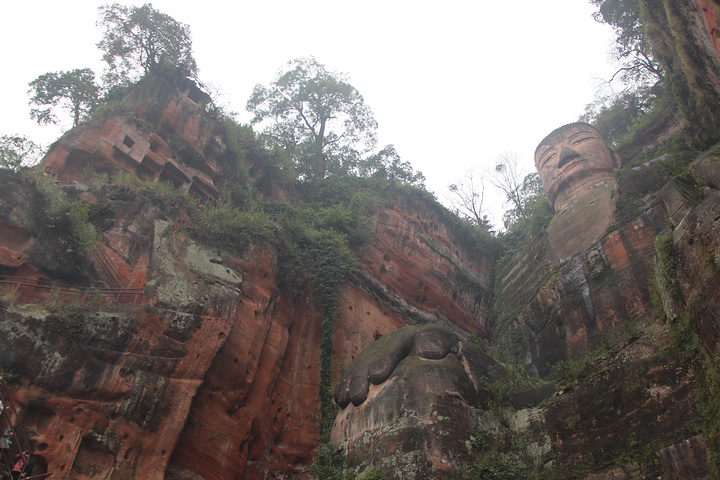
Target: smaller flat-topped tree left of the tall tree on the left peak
[(74, 91)]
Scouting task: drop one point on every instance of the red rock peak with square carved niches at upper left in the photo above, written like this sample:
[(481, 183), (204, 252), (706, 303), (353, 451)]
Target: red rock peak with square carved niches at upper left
[(170, 141)]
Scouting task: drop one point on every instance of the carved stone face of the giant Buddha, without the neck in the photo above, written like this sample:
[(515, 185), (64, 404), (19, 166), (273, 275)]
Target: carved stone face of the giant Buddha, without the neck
[(571, 160)]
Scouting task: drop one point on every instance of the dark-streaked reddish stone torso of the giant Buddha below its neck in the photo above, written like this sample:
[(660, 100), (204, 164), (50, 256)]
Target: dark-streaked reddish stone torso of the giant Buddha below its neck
[(562, 310)]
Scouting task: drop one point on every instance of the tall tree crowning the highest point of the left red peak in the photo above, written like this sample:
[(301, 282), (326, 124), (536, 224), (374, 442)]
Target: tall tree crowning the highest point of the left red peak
[(137, 40)]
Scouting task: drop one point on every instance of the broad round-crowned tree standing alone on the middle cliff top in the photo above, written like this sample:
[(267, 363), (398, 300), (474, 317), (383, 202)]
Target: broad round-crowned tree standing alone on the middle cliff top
[(316, 116)]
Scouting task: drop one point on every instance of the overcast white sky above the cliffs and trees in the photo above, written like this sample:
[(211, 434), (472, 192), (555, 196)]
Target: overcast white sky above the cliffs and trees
[(452, 84)]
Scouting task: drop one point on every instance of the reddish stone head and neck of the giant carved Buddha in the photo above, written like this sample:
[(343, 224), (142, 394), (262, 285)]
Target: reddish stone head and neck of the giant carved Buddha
[(575, 166)]
